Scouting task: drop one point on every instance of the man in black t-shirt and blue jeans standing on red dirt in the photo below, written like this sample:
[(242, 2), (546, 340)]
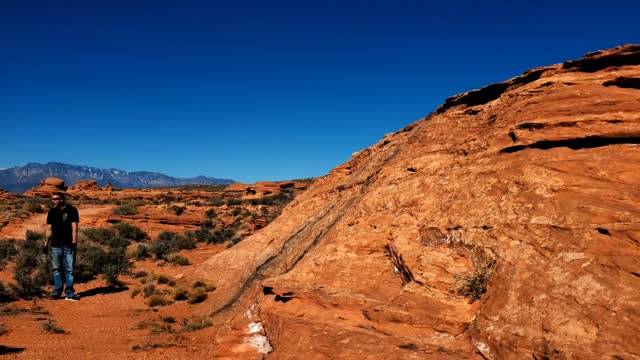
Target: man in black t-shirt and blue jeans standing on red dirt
[(62, 222)]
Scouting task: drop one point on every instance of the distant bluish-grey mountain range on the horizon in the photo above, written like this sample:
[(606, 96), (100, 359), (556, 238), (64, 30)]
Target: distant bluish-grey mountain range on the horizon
[(22, 178)]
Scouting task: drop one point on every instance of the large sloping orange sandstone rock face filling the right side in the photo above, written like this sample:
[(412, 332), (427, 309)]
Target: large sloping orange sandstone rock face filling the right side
[(502, 226)]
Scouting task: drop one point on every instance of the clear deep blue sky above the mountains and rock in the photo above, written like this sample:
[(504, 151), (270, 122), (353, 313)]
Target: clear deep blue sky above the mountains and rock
[(262, 90)]
